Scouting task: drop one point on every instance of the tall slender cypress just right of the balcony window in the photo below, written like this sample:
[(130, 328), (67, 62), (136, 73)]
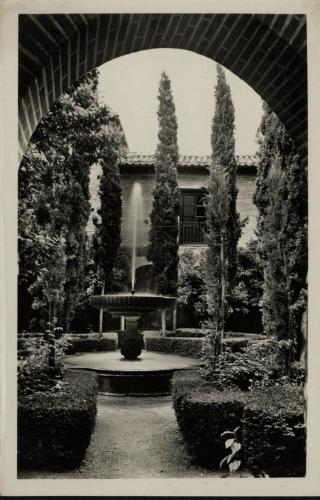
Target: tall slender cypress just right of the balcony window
[(223, 222)]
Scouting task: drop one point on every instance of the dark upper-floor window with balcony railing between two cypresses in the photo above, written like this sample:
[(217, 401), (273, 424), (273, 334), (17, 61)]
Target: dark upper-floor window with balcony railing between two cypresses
[(192, 217)]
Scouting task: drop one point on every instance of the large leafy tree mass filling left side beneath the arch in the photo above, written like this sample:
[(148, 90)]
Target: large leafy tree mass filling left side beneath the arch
[(54, 198)]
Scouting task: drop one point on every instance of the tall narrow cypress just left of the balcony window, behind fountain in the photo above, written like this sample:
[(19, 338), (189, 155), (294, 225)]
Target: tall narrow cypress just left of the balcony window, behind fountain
[(163, 249)]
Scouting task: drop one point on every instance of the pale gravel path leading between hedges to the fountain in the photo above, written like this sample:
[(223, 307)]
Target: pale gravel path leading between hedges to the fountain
[(133, 438)]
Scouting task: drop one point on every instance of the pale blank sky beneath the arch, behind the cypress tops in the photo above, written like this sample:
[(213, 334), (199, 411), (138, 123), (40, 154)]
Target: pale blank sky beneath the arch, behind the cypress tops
[(129, 85)]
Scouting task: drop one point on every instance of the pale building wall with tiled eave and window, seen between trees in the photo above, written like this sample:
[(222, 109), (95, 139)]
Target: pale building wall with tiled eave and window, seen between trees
[(193, 175)]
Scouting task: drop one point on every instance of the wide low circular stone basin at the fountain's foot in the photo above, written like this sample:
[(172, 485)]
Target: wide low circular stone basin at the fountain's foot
[(150, 374)]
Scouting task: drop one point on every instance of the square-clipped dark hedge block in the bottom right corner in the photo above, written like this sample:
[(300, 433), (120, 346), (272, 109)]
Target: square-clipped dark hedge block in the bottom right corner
[(274, 436)]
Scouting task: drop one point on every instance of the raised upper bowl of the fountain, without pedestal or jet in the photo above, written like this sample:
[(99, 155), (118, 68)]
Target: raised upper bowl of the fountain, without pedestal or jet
[(125, 304)]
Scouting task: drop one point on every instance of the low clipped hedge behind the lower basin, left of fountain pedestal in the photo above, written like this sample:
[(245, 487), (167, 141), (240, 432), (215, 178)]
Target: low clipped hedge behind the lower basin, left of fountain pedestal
[(90, 343)]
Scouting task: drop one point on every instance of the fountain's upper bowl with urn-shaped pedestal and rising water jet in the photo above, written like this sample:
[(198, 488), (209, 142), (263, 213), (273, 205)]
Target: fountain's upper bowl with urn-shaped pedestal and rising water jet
[(132, 305)]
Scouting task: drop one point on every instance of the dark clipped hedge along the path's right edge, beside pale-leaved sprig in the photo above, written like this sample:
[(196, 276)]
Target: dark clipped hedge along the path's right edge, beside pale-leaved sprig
[(204, 413)]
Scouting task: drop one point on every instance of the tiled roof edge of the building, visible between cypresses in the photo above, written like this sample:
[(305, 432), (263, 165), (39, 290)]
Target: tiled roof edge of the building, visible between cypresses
[(137, 159)]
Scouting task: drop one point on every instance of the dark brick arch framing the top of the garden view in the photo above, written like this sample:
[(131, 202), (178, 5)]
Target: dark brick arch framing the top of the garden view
[(267, 51)]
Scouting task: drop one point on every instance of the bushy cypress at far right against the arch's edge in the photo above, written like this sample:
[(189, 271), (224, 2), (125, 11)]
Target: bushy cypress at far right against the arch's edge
[(281, 198)]
